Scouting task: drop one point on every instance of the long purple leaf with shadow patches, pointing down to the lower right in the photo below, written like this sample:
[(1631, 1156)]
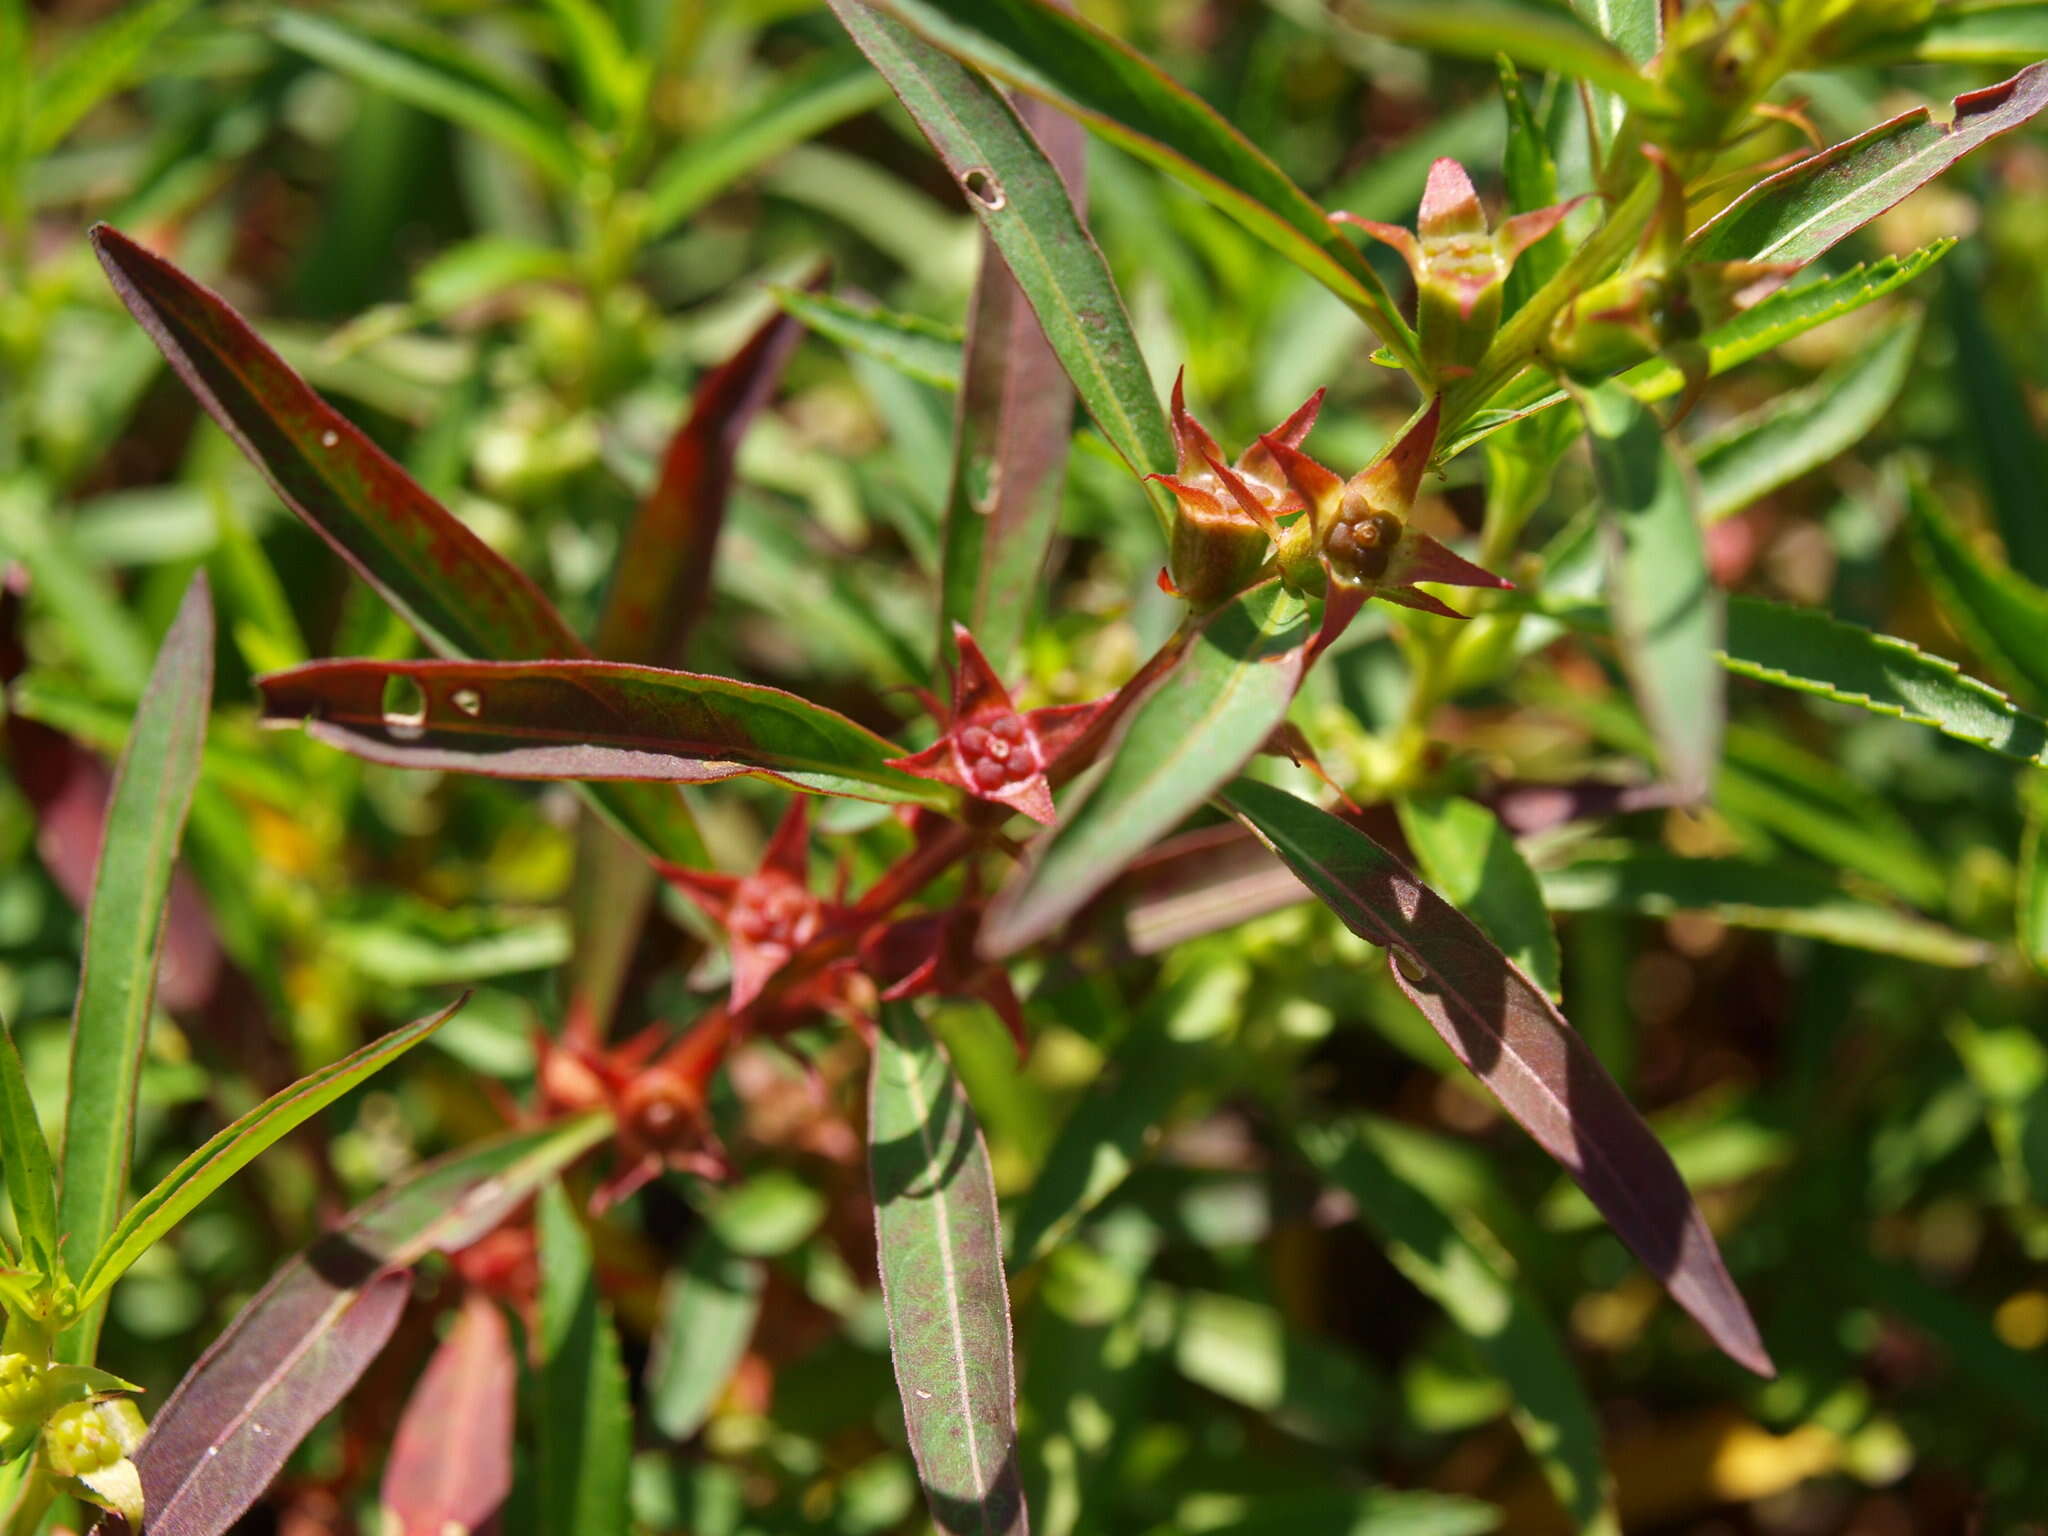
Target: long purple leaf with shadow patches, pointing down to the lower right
[(1502, 1027)]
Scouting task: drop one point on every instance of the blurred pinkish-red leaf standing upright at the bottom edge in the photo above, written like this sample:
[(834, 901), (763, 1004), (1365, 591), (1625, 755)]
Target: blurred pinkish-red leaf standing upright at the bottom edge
[(441, 1484)]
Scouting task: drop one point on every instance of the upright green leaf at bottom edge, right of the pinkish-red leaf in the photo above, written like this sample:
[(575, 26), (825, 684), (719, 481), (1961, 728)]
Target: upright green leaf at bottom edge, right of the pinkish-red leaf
[(587, 1433)]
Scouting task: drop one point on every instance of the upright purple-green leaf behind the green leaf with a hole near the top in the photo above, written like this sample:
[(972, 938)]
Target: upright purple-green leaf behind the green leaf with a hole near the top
[(1009, 441)]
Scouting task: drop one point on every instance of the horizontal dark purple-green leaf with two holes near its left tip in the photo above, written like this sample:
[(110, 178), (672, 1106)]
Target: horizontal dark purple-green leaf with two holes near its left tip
[(589, 720)]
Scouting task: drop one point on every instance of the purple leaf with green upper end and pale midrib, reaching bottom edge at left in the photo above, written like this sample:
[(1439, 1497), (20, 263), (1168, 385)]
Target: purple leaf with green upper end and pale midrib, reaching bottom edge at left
[(296, 1351)]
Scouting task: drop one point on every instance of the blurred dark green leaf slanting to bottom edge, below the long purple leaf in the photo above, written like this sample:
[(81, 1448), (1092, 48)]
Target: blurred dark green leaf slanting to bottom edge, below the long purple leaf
[(1469, 1275)]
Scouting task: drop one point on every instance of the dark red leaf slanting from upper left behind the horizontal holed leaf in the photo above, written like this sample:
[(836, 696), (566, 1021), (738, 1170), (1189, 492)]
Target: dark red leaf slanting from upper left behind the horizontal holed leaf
[(443, 581)]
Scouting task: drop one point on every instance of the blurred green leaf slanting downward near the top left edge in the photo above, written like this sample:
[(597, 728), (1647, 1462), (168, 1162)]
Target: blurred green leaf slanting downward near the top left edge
[(437, 75)]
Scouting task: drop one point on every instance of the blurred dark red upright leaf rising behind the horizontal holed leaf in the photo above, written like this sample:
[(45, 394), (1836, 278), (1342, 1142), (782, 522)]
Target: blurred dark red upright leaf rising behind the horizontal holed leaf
[(663, 579)]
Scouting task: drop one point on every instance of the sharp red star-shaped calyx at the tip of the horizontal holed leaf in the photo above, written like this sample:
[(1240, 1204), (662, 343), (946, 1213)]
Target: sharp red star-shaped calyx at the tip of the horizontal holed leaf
[(994, 751)]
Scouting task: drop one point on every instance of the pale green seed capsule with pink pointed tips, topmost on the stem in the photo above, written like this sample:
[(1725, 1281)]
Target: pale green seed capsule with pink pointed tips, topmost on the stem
[(1461, 265)]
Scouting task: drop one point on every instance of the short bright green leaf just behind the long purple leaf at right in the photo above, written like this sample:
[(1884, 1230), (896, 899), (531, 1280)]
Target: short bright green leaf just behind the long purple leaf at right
[(1474, 861)]
